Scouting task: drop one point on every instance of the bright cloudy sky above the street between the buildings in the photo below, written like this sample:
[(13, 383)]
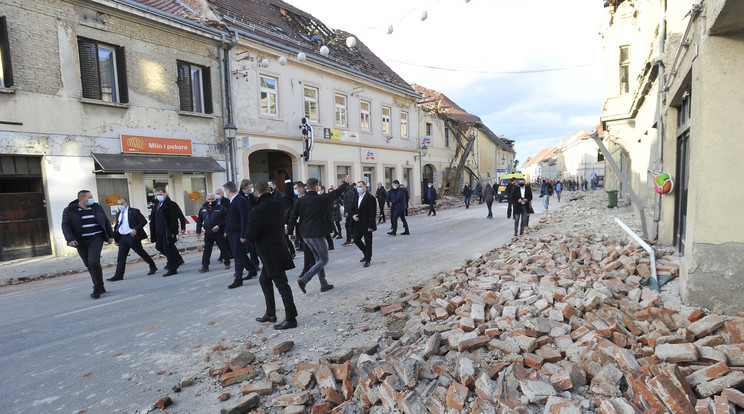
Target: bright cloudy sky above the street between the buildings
[(482, 39)]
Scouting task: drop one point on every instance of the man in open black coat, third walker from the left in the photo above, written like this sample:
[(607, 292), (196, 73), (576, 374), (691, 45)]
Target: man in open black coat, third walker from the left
[(164, 219)]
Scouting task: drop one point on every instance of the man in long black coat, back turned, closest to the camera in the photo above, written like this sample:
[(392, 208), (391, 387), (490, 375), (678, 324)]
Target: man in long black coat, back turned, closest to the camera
[(266, 230)]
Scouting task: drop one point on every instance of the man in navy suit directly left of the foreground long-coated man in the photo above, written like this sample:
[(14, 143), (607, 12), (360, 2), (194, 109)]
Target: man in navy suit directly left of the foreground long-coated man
[(236, 225)]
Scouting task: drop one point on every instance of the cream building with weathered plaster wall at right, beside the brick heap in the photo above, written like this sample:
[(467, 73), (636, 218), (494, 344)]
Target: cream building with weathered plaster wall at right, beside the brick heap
[(673, 104)]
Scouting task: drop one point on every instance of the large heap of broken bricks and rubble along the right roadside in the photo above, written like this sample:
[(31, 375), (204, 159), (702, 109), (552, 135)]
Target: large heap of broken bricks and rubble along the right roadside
[(550, 323)]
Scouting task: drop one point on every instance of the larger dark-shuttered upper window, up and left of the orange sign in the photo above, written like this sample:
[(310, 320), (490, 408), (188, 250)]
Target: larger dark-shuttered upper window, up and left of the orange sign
[(103, 71)]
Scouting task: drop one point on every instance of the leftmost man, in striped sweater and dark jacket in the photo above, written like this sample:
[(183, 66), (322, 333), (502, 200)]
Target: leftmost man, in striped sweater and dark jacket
[(85, 226)]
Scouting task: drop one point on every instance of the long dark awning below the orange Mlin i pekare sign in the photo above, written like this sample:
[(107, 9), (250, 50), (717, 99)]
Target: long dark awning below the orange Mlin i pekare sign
[(155, 163)]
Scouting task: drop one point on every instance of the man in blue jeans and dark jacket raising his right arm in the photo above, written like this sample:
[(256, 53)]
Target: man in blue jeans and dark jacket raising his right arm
[(311, 219)]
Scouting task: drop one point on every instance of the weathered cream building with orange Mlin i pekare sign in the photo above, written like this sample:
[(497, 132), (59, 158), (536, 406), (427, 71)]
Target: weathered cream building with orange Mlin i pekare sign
[(89, 99)]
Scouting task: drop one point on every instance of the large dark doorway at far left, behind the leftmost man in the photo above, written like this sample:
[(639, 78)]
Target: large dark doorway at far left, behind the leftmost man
[(24, 229)]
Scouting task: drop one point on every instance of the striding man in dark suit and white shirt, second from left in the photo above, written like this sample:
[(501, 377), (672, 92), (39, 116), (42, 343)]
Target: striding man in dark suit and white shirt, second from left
[(128, 234)]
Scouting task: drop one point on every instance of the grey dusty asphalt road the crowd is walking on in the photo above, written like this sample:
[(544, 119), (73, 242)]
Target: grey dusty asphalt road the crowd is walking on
[(61, 351)]
